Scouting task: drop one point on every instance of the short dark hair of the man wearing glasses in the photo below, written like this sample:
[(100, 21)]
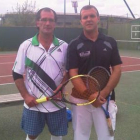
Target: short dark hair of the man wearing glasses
[(48, 10)]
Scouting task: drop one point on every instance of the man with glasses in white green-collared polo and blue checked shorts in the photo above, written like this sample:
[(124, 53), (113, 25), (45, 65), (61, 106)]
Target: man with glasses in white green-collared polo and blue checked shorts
[(42, 59)]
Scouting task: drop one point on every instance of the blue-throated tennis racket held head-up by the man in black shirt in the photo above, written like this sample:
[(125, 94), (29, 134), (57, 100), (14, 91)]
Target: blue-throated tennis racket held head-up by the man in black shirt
[(102, 76)]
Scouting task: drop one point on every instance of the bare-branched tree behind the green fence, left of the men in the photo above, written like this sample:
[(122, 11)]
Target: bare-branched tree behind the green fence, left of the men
[(22, 15)]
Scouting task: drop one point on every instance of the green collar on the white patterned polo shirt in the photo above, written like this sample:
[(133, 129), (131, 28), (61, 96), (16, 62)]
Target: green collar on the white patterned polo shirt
[(35, 41)]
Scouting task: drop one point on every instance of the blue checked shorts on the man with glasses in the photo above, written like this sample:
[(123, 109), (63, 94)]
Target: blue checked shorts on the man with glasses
[(33, 122)]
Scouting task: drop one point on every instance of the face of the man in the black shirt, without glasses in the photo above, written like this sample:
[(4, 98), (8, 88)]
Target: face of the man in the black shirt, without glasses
[(89, 20)]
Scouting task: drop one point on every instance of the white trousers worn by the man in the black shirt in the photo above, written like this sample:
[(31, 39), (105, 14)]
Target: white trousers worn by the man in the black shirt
[(83, 117)]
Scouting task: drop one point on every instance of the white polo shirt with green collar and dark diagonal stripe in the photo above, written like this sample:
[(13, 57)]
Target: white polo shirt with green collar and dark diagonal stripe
[(41, 69)]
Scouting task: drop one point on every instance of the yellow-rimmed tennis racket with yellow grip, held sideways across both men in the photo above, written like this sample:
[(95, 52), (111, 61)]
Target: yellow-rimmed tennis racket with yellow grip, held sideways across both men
[(86, 85)]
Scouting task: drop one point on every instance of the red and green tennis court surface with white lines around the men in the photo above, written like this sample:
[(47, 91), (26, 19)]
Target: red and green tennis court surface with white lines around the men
[(127, 99)]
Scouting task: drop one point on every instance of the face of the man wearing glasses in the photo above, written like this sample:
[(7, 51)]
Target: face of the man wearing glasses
[(46, 23)]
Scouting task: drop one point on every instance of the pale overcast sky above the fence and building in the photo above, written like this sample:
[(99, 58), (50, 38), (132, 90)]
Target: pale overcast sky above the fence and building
[(105, 7)]
